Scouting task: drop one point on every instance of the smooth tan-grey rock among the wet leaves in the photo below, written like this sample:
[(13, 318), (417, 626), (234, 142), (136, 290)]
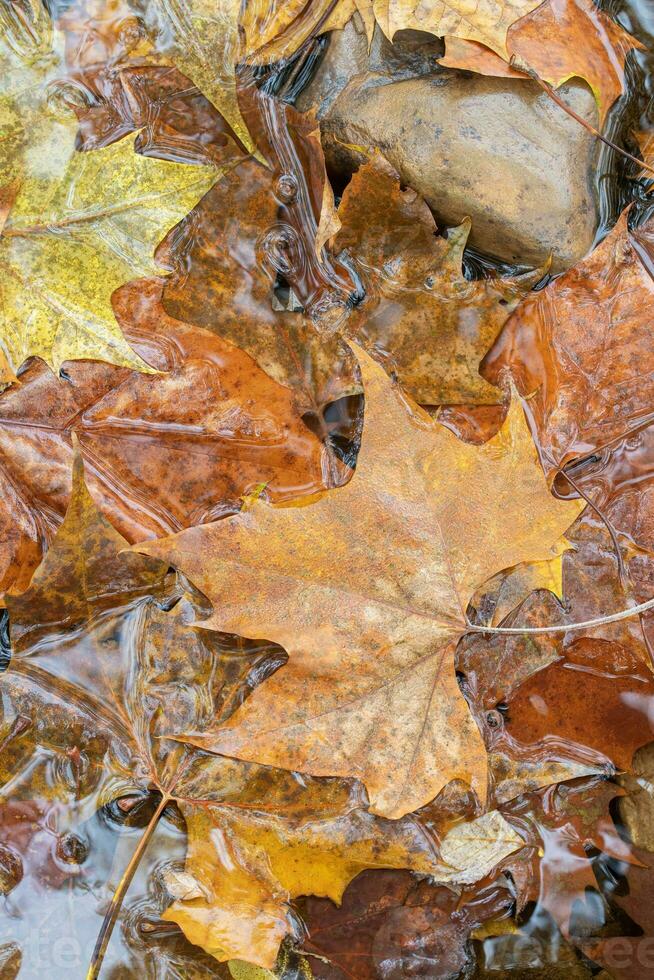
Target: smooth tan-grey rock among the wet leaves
[(497, 150)]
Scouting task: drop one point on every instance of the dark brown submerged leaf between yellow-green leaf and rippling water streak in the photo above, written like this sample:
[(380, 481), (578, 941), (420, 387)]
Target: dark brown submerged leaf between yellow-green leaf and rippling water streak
[(223, 281)]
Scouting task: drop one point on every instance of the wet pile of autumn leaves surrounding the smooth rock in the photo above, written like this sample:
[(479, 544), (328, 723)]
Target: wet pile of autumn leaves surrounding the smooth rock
[(325, 568)]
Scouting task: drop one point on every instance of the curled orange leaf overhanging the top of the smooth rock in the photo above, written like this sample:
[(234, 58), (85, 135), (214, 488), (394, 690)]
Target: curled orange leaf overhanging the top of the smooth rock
[(559, 40)]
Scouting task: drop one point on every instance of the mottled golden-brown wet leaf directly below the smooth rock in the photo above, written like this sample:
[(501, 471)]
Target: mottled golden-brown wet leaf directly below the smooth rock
[(419, 308)]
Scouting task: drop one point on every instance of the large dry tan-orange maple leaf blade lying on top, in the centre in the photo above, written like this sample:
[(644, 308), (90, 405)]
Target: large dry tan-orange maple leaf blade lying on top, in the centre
[(366, 587)]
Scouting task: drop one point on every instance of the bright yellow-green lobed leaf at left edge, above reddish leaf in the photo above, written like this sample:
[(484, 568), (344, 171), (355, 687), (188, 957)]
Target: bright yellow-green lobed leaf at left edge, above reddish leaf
[(73, 238)]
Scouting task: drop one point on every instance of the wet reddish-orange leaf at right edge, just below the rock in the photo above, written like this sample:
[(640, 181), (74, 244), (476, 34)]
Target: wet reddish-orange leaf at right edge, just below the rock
[(578, 346)]
